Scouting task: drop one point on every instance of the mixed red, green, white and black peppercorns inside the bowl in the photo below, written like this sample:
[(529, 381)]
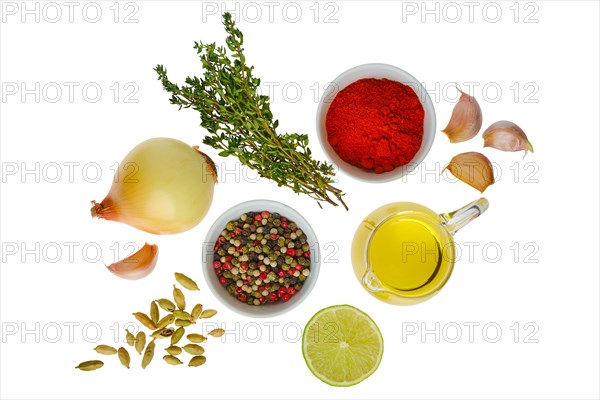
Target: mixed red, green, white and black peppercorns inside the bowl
[(262, 258)]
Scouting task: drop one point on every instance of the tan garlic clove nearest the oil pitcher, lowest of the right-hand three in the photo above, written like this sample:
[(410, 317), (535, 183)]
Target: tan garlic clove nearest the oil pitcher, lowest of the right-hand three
[(472, 168)]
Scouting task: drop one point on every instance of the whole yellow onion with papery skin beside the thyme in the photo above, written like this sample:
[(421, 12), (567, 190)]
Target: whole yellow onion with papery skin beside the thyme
[(164, 186)]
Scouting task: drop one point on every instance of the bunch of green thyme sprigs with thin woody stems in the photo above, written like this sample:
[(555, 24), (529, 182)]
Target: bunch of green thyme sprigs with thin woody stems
[(240, 121)]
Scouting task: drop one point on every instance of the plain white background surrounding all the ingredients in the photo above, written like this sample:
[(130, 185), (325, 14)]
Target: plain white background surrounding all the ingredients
[(547, 201)]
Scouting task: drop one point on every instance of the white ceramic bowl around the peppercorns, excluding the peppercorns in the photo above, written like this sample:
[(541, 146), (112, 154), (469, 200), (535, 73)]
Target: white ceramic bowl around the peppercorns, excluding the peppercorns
[(266, 310)]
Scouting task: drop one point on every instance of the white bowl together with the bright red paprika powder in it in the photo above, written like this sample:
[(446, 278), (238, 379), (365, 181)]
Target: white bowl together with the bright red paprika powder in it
[(378, 123)]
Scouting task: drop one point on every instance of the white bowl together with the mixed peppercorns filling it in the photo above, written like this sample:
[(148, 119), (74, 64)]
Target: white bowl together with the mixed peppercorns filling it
[(261, 258)]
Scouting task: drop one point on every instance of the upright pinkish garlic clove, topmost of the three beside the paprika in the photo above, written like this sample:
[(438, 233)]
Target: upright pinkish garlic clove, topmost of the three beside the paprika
[(465, 121)]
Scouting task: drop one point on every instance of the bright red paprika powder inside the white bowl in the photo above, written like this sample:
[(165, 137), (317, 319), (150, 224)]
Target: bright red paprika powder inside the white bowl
[(376, 124)]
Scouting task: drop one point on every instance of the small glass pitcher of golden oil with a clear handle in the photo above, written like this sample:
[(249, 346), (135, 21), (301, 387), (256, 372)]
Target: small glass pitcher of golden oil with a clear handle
[(403, 253)]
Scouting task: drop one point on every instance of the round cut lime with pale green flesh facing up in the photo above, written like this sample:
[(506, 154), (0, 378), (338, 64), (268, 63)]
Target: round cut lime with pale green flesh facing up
[(342, 345)]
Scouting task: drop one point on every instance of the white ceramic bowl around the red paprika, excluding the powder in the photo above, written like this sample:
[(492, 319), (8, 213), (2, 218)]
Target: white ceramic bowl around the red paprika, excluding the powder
[(377, 71)]
